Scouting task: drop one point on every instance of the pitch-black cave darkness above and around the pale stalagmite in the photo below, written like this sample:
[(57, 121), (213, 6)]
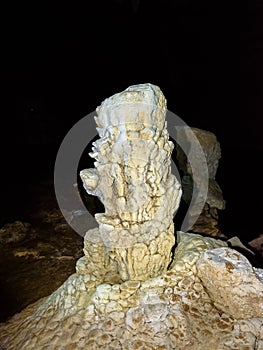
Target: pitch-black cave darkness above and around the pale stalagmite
[(60, 62)]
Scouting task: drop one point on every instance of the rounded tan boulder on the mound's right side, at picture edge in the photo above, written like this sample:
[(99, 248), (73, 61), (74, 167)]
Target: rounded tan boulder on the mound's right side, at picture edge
[(232, 283)]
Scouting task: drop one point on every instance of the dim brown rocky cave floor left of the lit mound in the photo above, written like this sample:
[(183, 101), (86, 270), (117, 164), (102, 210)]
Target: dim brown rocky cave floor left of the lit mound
[(38, 250)]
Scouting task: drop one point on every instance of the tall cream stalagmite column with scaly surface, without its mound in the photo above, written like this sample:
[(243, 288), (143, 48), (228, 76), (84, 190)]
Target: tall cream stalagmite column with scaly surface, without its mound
[(132, 178)]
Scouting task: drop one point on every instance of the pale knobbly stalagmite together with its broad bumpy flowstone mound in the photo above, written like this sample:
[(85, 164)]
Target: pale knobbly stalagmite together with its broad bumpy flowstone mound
[(129, 291)]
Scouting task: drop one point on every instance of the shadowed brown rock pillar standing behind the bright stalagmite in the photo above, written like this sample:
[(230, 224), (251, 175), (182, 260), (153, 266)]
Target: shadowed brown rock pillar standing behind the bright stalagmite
[(208, 220)]
